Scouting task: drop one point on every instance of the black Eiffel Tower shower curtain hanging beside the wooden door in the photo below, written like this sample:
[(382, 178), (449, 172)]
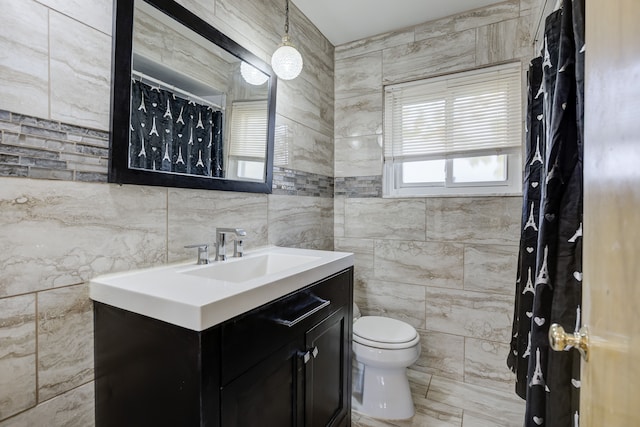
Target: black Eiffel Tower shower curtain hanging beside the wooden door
[(549, 284)]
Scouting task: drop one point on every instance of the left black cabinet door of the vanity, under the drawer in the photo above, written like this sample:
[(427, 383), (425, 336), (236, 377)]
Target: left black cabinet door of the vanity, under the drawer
[(267, 394)]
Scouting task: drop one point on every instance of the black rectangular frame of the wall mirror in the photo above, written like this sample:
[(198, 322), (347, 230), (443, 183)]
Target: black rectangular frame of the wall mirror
[(119, 171)]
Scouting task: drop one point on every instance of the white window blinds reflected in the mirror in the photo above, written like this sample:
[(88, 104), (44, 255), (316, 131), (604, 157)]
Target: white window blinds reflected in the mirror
[(248, 129)]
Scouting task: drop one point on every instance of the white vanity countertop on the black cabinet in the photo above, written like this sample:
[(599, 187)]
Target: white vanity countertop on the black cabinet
[(181, 293)]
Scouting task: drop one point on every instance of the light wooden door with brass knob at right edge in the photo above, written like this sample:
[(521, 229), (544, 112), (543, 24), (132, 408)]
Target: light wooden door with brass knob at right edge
[(610, 392)]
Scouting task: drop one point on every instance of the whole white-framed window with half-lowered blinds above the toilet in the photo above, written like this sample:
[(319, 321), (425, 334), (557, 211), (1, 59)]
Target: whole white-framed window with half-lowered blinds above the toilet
[(459, 134)]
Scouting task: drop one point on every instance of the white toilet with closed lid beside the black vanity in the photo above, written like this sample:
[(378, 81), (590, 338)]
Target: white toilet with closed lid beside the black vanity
[(383, 348)]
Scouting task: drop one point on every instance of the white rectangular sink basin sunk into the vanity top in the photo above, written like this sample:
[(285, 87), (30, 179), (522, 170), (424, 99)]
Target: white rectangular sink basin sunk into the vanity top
[(250, 268)]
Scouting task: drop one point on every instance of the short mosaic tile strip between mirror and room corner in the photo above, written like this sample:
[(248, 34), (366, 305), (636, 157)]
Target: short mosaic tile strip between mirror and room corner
[(297, 183)]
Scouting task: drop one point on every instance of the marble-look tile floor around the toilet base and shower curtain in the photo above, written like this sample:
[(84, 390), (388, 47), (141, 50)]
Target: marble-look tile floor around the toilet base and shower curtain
[(441, 402)]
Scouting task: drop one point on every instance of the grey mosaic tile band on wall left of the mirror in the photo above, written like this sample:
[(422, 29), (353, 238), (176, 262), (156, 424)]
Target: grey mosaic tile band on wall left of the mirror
[(31, 147)]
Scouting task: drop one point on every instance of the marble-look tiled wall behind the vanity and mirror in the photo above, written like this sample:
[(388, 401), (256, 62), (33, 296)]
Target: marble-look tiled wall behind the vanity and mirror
[(62, 224)]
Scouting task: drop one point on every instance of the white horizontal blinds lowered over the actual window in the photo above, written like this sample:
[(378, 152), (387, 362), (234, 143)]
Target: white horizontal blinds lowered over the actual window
[(454, 114)]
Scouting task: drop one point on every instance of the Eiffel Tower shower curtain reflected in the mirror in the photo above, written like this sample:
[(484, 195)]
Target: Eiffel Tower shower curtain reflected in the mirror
[(172, 134)]
